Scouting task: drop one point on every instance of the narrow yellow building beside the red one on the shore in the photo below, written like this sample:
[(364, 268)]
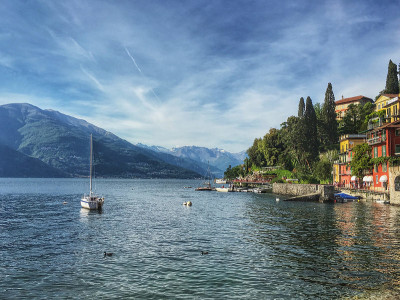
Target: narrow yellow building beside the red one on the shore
[(341, 168)]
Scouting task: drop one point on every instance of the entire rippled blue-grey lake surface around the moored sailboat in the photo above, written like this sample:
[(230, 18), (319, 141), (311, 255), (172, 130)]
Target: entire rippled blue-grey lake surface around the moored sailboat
[(258, 248)]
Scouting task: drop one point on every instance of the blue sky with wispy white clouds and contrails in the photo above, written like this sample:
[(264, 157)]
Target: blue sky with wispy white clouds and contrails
[(210, 73)]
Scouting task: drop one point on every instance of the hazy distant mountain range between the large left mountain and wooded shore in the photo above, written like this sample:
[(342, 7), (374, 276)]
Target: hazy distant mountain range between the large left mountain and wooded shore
[(217, 160)]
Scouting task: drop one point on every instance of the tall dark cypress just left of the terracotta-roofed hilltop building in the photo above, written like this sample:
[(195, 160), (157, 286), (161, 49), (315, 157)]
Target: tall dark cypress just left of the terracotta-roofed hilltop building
[(328, 118)]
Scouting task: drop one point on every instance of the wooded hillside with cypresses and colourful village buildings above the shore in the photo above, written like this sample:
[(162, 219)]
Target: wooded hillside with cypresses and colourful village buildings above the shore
[(358, 151)]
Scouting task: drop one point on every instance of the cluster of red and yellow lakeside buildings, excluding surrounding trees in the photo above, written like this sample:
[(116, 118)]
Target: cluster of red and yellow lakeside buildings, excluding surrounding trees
[(383, 137)]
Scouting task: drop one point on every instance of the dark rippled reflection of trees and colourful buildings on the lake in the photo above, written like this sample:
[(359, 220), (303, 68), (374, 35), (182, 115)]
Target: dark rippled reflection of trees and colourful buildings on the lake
[(356, 245)]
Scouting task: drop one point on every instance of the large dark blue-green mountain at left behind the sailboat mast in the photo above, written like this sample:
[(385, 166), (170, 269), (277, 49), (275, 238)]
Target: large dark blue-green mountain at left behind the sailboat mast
[(50, 141)]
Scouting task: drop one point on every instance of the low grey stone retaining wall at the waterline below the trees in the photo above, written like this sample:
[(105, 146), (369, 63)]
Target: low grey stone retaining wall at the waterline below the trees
[(289, 189)]
